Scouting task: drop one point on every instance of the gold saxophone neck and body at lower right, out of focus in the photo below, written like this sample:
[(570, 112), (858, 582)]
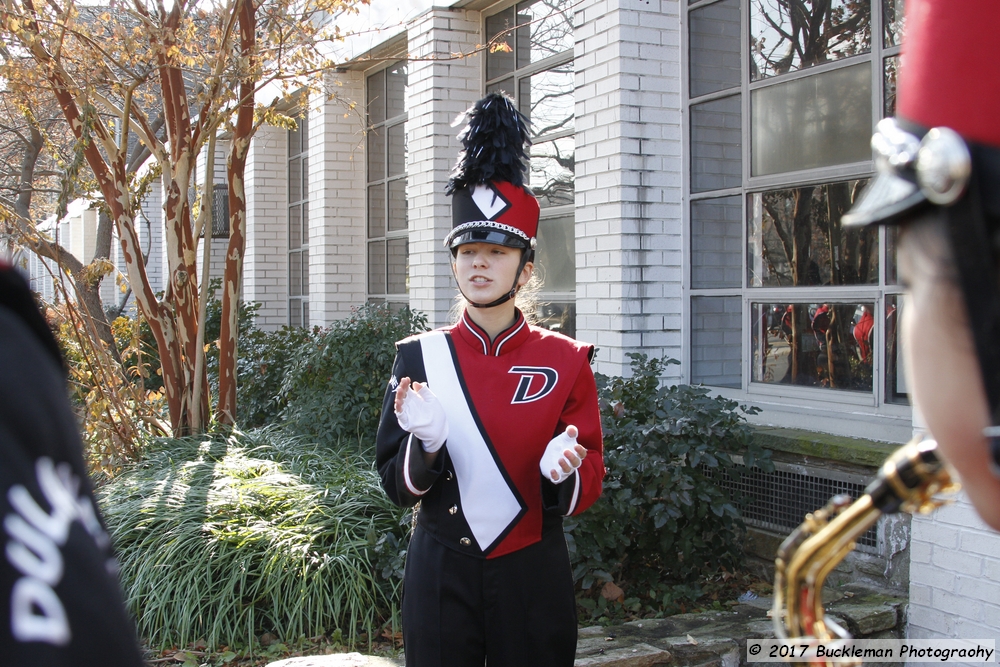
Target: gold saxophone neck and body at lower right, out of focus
[(908, 481)]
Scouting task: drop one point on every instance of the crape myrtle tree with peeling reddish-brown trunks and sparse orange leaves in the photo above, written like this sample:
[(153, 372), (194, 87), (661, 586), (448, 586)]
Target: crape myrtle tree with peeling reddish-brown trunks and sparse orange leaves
[(173, 77)]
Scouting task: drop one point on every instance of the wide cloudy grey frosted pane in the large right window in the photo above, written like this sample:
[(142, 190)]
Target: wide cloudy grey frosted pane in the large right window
[(817, 121)]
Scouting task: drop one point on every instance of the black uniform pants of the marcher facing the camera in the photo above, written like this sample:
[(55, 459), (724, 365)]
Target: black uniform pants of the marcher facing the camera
[(516, 610)]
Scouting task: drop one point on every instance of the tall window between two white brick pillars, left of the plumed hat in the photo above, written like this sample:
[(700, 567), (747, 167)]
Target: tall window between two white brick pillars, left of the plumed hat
[(388, 245)]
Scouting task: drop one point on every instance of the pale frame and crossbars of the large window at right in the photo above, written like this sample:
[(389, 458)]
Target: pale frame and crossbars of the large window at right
[(878, 293)]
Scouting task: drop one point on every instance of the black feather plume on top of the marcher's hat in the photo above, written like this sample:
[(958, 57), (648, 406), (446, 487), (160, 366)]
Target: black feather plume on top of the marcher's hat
[(494, 144)]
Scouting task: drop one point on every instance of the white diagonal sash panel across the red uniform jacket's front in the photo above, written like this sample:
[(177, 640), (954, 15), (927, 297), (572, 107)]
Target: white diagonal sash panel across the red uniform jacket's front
[(488, 503)]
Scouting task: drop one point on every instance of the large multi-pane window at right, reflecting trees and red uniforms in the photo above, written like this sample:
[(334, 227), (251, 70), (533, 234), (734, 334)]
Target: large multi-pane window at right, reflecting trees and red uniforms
[(778, 130)]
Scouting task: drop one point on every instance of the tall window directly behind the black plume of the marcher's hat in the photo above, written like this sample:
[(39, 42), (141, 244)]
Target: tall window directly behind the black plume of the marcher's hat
[(534, 65)]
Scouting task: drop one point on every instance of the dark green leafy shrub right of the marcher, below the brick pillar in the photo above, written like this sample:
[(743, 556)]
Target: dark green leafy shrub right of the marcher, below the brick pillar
[(662, 522)]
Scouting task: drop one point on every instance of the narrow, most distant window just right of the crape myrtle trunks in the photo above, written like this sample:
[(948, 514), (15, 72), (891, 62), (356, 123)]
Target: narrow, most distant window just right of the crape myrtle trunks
[(298, 223)]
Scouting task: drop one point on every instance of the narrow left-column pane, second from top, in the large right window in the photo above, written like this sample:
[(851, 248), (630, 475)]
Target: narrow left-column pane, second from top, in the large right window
[(716, 145)]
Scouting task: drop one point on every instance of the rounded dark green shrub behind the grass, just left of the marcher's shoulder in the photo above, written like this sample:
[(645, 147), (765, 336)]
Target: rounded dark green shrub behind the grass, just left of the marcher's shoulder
[(335, 390)]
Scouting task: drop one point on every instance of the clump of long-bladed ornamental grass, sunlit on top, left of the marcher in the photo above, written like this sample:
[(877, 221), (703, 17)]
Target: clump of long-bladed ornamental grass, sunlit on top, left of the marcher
[(222, 540)]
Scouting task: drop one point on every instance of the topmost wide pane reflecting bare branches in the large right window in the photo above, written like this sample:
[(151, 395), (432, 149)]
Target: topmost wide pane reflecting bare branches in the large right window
[(786, 36)]
